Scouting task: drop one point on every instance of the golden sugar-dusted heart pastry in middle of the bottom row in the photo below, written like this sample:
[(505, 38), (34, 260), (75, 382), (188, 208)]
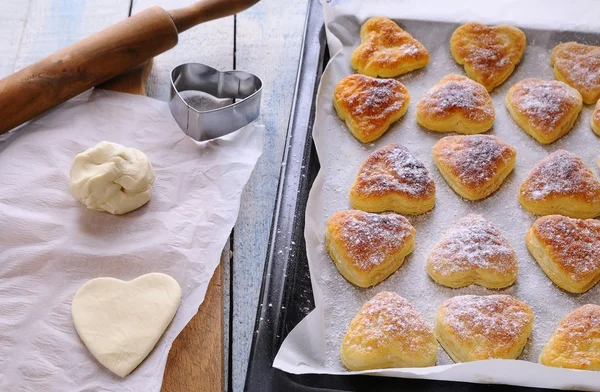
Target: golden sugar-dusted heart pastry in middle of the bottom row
[(473, 327)]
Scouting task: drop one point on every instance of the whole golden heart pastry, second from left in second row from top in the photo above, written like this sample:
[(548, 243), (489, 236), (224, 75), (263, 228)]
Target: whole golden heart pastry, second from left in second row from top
[(456, 104)]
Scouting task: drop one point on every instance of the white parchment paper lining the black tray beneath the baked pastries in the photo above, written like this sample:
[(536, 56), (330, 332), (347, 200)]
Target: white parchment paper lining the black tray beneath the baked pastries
[(313, 346)]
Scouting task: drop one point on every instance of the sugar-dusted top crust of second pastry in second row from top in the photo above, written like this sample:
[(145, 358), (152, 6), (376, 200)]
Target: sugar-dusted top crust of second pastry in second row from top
[(457, 93)]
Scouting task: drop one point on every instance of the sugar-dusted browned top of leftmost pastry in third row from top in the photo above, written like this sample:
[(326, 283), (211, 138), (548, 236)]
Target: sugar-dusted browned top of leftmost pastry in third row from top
[(394, 169)]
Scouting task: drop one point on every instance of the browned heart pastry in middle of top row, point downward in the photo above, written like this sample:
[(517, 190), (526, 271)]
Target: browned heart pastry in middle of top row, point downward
[(489, 54)]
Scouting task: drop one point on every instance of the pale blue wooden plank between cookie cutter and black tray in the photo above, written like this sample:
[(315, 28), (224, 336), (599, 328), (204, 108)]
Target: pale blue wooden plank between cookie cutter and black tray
[(268, 40)]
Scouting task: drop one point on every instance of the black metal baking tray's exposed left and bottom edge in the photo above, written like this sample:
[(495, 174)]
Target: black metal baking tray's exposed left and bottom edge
[(286, 293)]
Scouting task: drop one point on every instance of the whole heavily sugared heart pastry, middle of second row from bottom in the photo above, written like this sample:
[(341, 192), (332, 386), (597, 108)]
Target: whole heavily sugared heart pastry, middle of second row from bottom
[(473, 251)]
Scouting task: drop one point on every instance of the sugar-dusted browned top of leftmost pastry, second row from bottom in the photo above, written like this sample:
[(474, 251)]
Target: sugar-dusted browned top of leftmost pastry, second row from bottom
[(369, 238)]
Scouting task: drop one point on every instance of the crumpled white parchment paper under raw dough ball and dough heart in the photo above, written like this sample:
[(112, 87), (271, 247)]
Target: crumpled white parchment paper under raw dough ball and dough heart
[(50, 244)]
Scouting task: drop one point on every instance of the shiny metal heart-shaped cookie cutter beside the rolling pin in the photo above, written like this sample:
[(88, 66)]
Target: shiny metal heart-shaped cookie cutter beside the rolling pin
[(209, 124)]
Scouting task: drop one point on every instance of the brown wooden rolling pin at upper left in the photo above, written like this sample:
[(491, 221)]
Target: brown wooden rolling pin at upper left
[(55, 79)]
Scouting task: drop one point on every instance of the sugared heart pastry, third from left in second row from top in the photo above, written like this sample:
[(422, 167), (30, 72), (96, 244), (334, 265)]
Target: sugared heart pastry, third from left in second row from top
[(546, 110)]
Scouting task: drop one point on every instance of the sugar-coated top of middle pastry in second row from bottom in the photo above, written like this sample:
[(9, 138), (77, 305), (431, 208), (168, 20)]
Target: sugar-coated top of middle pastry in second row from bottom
[(473, 243)]
